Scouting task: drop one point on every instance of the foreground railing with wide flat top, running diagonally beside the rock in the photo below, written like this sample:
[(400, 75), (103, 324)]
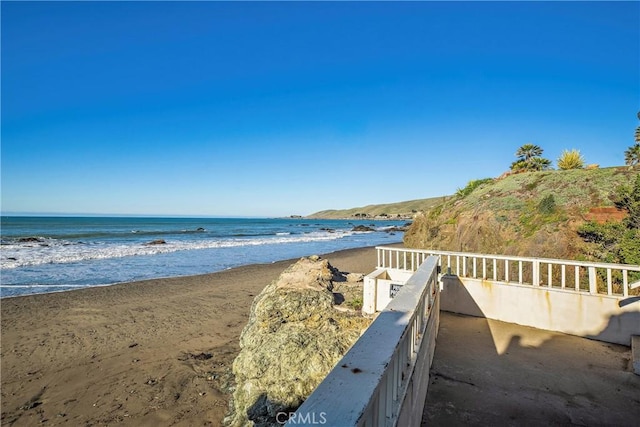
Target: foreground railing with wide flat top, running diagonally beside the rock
[(369, 385)]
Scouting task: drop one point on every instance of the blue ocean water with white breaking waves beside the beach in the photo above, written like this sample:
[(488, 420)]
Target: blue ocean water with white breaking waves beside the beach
[(51, 254)]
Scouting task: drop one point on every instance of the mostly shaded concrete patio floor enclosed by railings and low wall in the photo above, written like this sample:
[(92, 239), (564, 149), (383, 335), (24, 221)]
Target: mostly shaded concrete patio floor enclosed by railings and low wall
[(490, 373)]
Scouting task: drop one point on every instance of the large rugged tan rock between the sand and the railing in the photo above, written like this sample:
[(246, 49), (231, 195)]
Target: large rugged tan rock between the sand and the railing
[(294, 337)]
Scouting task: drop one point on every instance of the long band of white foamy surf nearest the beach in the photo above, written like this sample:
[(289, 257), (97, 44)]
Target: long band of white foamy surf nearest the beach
[(20, 255)]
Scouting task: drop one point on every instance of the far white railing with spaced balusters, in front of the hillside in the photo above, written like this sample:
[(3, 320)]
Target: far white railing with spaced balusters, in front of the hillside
[(574, 276)]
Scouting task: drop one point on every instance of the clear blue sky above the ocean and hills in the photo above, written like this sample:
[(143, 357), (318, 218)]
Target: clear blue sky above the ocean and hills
[(273, 109)]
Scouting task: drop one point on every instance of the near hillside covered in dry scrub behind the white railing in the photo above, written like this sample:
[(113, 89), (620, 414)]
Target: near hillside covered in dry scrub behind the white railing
[(528, 214)]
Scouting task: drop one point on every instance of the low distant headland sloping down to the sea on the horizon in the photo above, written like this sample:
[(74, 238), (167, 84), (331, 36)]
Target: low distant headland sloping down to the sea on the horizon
[(389, 210)]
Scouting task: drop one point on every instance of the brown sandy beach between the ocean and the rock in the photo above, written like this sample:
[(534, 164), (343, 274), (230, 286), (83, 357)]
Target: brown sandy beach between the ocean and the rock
[(154, 352)]
